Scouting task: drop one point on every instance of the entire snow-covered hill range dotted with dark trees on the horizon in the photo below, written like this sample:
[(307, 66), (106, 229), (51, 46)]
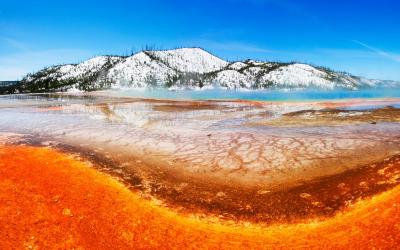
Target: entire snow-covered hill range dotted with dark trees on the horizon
[(185, 68)]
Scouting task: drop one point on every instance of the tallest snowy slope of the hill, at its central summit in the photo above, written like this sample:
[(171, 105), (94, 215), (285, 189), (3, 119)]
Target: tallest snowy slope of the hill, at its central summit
[(164, 68)]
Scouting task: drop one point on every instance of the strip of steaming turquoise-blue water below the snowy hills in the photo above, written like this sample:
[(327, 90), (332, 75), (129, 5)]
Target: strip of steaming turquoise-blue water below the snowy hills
[(261, 95)]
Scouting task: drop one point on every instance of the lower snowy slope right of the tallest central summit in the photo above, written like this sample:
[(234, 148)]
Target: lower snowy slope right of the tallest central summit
[(257, 75)]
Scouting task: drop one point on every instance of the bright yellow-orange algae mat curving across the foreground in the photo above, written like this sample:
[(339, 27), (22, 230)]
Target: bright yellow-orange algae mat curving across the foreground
[(50, 200)]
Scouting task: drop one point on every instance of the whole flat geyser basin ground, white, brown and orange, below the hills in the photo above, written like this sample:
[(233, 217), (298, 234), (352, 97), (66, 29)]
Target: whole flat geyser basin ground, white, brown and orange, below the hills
[(272, 170)]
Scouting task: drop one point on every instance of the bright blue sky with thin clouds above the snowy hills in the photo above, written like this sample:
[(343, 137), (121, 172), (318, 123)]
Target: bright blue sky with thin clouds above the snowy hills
[(361, 37)]
